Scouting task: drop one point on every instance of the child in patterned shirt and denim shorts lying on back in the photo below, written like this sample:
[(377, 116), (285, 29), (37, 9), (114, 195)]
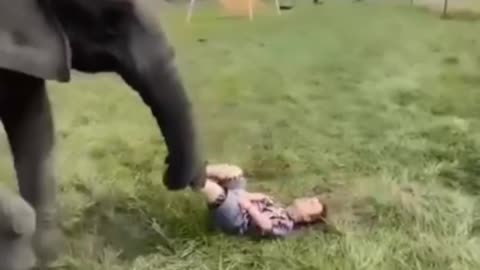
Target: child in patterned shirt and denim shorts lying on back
[(236, 211)]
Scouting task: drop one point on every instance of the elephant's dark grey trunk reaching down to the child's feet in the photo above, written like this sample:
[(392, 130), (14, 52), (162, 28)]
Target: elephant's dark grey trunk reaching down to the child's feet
[(152, 72)]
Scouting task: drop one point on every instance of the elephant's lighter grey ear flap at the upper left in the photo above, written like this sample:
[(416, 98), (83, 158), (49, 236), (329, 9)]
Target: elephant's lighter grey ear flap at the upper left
[(32, 40)]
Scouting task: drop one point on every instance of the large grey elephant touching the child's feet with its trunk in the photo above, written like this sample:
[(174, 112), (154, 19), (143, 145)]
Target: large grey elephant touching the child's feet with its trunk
[(46, 40)]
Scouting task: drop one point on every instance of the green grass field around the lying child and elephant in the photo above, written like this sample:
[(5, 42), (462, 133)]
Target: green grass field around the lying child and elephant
[(378, 106)]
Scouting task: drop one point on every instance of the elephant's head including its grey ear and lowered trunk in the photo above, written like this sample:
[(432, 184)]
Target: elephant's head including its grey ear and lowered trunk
[(49, 38)]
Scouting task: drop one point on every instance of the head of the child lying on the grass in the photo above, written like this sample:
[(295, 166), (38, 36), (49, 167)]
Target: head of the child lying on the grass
[(307, 210)]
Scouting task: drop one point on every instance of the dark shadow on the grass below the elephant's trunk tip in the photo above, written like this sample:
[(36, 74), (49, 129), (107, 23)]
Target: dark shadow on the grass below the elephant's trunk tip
[(137, 226)]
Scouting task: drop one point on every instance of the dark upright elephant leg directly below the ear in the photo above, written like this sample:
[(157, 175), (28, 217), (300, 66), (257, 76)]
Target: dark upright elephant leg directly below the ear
[(30, 129)]
